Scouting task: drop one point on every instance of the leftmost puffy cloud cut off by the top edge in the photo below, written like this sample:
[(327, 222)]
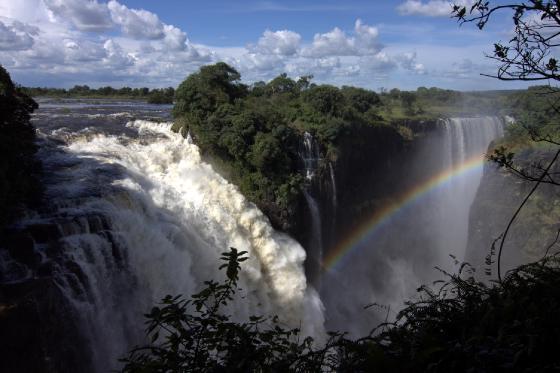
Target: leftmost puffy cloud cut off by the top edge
[(88, 15)]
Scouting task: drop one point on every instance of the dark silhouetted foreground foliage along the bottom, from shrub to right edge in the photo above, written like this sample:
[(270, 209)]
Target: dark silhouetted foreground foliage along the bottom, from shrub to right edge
[(458, 325)]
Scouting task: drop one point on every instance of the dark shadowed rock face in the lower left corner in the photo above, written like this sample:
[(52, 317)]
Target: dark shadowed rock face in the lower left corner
[(40, 328)]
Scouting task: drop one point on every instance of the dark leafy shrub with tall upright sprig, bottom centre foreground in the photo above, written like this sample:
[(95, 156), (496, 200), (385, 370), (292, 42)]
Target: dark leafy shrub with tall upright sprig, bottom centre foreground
[(197, 335)]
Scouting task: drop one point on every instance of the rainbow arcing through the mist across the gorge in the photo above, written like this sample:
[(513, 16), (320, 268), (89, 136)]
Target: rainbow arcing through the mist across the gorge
[(384, 215)]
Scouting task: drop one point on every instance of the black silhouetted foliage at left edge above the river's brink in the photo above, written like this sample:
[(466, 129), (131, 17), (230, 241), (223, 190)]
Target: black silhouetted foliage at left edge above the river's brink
[(18, 167)]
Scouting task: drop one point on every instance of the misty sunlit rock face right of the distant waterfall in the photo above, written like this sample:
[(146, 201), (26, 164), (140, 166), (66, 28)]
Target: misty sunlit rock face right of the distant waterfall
[(534, 230)]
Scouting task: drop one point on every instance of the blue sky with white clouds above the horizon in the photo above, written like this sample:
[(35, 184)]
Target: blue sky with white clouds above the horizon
[(399, 43)]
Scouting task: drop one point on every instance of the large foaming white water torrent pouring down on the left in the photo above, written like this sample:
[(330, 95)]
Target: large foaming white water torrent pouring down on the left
[(172, 216)]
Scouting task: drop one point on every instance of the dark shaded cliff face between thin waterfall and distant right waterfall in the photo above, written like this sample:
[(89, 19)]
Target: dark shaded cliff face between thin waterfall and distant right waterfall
[(370, 167)]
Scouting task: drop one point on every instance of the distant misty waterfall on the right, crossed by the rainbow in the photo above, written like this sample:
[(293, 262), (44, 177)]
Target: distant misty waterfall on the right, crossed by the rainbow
[(387, 266)]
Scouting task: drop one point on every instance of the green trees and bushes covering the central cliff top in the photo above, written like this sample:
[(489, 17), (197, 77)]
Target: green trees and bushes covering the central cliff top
[(253, 134)]
